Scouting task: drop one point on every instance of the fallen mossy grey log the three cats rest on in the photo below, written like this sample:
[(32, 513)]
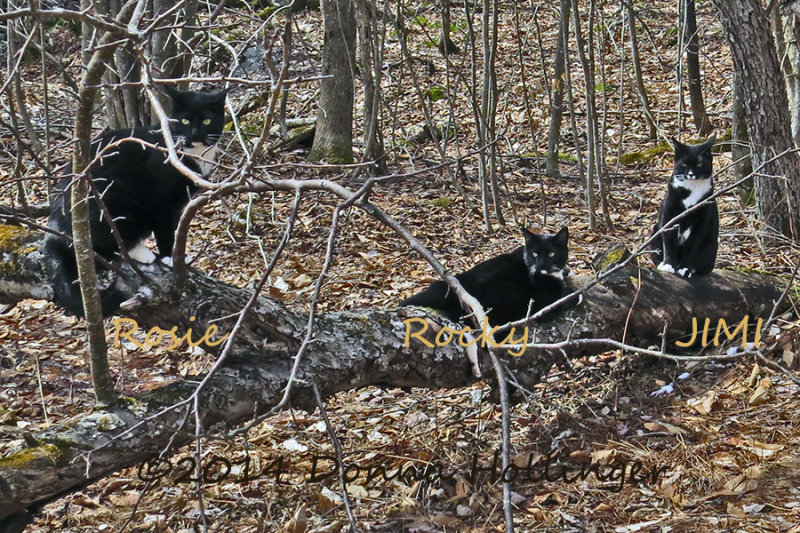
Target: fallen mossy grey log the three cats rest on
[(350, 349)]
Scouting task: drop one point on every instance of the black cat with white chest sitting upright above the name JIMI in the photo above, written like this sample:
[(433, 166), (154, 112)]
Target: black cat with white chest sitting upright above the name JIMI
[(689, 247)]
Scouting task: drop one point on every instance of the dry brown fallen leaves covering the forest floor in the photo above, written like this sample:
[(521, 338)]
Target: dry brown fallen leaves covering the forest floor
[(726, 432)]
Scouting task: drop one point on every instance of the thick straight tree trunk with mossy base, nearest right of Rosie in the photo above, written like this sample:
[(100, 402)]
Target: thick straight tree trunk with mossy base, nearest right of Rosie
[(333, 140)]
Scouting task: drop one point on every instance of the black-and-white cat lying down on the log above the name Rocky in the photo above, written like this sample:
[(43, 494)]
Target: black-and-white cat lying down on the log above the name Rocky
[(510, 286)]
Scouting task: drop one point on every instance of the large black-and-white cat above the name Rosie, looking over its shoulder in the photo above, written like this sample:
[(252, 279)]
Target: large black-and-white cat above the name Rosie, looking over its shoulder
[(143, 193)]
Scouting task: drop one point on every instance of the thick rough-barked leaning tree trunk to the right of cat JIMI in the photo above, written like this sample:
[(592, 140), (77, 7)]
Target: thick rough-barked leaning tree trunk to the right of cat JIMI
[(755, 59)]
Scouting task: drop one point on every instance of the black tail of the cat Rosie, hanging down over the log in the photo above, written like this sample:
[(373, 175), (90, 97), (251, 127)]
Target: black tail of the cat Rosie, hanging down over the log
[(62, 271)]
